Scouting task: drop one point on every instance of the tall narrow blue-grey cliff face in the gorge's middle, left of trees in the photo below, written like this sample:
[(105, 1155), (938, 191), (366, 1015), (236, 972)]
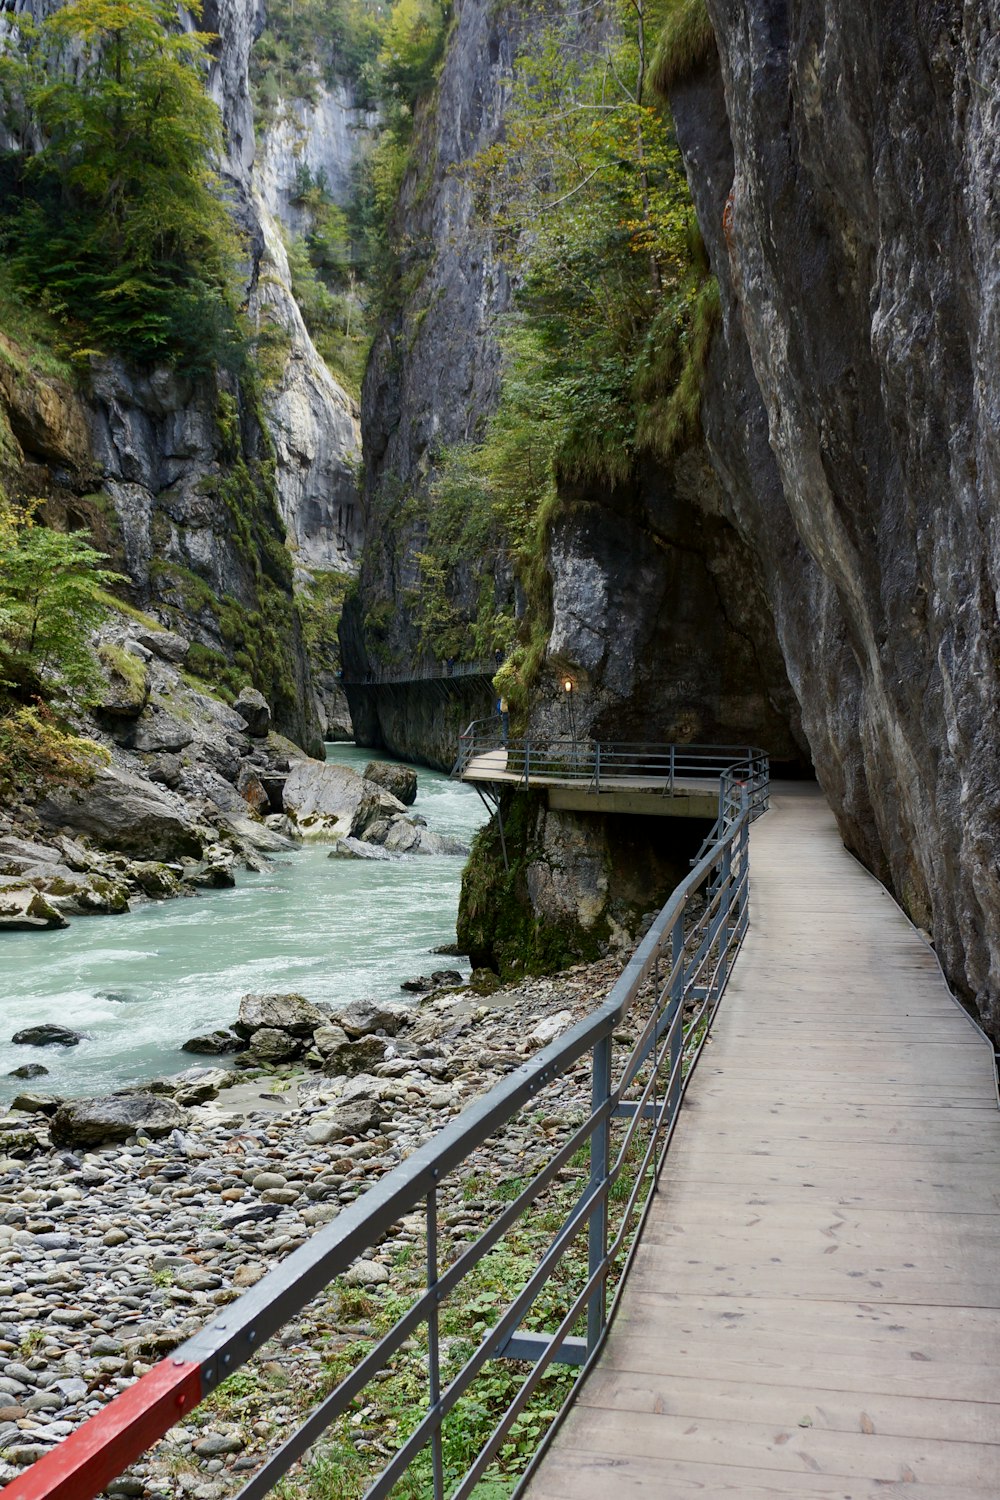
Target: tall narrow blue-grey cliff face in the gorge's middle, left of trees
[(434, 371)]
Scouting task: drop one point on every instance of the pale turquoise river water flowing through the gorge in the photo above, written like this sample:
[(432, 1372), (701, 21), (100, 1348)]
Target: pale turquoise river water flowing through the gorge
[(140, 985)]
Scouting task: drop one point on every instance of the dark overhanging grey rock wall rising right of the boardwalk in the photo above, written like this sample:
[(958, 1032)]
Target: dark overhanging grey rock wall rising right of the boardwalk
[(845, 169)]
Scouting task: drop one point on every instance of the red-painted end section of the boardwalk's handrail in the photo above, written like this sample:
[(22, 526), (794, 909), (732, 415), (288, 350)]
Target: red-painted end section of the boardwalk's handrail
[(115, 1438)]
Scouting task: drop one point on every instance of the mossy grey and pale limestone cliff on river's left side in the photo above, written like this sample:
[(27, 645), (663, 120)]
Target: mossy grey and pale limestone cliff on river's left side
[(197, 487)]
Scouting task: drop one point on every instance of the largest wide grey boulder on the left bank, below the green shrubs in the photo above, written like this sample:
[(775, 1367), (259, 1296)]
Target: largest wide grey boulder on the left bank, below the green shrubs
[(127, 814)]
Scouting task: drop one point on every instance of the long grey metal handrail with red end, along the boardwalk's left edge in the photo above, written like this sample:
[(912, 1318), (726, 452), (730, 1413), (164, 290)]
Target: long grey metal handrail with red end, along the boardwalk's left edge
[(641, 1045)]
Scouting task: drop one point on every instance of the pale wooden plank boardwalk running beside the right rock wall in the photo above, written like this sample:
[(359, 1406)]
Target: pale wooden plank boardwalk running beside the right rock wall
[(815, 1309)]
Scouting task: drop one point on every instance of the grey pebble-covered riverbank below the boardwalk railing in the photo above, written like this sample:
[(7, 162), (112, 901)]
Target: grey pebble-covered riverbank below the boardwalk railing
[(109, 1258)]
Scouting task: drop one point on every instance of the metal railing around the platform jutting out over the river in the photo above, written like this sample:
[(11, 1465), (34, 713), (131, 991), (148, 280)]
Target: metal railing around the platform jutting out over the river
[(608, 766)]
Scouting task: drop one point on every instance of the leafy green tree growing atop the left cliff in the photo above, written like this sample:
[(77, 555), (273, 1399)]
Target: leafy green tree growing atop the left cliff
[(119, 223)]
